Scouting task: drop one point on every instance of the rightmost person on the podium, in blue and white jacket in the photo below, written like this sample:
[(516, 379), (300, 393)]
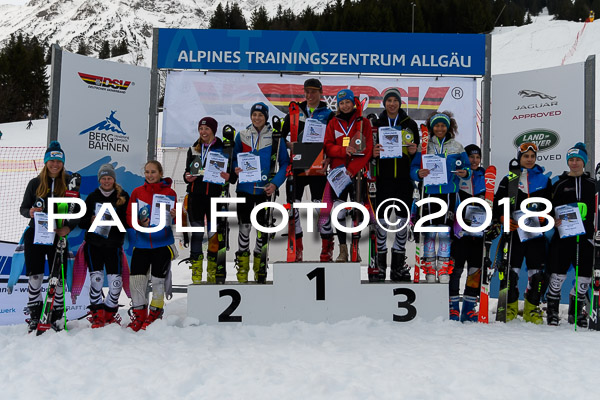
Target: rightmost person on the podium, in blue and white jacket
[(443, 129)]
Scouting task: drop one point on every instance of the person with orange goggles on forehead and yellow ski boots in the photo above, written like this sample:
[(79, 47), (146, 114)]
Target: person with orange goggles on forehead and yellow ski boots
[(532, 183)]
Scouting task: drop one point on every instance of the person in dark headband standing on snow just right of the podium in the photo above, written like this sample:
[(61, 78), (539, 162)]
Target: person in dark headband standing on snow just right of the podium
[(468, 247)]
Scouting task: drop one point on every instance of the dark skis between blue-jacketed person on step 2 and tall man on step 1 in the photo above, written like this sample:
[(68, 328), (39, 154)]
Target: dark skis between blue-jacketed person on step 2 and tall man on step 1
[(263, 236)]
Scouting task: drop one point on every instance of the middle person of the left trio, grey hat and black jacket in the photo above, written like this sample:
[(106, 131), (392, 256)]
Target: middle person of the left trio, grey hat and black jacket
[(105, 249)]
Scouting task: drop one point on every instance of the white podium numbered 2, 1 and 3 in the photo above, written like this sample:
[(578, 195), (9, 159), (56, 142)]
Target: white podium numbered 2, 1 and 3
[(316, 292)]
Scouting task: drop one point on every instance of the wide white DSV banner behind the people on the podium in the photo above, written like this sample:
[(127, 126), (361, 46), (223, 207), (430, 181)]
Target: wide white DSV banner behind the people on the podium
[(228, 97)]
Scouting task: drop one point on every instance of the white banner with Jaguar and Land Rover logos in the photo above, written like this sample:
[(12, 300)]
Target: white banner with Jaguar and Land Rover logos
[(538, 106)]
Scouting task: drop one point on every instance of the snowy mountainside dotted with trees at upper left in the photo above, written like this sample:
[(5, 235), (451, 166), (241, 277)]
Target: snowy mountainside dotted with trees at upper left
[(66, 22)]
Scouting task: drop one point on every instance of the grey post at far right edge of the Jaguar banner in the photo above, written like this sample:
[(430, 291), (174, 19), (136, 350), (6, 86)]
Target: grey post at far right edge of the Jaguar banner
[(589, 111)]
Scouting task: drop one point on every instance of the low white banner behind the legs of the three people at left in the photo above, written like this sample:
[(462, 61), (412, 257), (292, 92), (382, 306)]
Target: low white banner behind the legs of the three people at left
[(12, 305)]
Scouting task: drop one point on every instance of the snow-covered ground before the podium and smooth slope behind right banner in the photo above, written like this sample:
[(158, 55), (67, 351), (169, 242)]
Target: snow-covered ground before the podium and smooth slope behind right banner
[(356, 359)]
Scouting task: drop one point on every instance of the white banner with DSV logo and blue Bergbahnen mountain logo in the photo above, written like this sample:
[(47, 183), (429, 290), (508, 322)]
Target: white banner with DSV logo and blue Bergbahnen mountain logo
[(103, 118)]
